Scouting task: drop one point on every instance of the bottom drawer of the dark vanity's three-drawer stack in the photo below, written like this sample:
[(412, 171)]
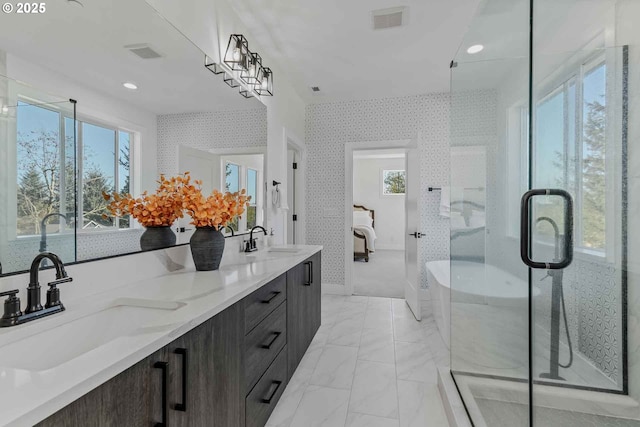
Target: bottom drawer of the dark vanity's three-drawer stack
[(265, 395)]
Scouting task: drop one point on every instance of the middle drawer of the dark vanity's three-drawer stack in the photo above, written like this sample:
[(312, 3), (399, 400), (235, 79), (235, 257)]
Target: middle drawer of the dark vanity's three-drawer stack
[(263, 344)]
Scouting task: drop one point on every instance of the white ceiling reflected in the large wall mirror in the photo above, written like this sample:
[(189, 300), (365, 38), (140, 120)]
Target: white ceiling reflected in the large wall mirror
[(86, 44)]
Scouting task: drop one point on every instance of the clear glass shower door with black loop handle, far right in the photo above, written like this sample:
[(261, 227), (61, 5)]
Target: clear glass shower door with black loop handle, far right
[(578, 144)]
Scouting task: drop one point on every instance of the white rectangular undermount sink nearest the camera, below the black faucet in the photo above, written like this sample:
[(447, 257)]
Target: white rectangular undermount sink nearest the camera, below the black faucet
[(53, 347)]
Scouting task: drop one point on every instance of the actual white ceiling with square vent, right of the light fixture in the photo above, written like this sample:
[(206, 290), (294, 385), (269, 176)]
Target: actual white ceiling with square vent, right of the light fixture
[(331, 44)]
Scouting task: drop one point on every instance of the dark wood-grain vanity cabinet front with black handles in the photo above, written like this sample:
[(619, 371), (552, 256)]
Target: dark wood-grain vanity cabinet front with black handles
[(230, 371)]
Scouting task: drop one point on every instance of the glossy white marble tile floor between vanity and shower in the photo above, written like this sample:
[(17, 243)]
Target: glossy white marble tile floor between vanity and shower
[(371, 364)]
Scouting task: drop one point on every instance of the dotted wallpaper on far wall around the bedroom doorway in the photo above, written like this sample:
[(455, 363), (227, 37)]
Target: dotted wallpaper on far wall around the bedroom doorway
[(330, 126)]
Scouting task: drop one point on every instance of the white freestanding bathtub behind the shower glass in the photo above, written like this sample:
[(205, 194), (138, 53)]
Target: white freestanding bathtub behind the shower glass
[(485, 290)]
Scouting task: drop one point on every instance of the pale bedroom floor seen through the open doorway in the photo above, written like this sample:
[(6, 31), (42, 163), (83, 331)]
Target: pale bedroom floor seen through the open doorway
[(379, 276)]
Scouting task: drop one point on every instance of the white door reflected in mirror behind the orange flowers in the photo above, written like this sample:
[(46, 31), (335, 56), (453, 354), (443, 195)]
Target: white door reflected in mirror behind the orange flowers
[(204, 166)]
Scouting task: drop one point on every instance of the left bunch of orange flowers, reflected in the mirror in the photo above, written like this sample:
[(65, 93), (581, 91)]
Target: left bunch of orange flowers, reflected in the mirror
[(152, 210)]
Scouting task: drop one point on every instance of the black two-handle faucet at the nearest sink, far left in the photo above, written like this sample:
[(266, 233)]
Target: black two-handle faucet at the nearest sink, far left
[(13, 315)]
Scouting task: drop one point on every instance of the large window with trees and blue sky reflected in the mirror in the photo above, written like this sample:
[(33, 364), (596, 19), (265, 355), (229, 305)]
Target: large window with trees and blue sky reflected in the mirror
[(46, 170)]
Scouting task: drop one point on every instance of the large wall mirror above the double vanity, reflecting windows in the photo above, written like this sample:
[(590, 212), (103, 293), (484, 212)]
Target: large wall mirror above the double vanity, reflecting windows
[(70, 128)]
